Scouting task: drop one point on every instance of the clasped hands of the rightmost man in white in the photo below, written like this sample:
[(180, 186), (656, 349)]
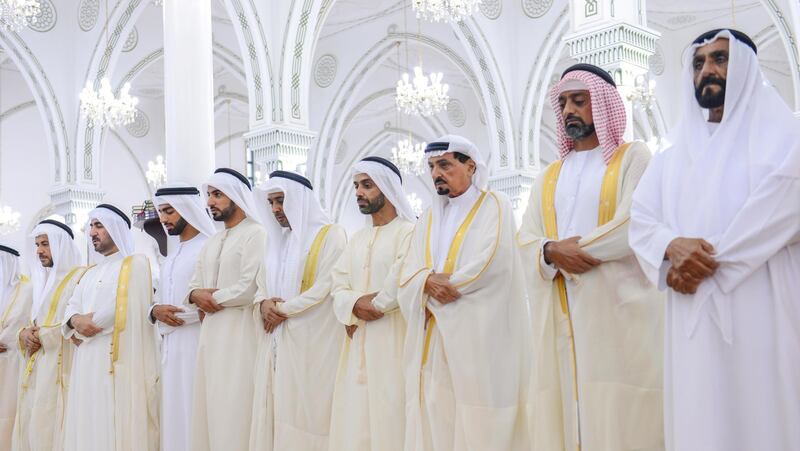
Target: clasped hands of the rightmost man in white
[(692, 262)]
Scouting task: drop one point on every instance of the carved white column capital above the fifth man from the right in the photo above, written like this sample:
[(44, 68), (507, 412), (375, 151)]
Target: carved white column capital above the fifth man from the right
[(280, 147)]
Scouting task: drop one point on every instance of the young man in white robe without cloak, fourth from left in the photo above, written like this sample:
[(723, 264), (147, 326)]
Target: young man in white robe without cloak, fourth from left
[(184, 216)]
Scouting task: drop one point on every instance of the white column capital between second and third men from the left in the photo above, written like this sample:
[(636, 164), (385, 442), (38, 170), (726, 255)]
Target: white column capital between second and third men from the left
[(74, 203)]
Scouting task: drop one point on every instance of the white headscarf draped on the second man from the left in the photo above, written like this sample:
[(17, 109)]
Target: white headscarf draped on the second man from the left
[(65, 254)]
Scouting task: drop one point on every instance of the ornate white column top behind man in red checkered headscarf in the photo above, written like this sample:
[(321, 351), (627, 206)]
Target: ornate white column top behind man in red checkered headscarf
[(613, 34)]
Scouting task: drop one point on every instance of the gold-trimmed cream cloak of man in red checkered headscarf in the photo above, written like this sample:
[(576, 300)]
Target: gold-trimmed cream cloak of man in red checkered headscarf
[(596, 379)]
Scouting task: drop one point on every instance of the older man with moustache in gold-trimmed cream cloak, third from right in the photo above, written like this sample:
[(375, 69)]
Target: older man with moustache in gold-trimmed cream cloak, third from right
[(462, 292)]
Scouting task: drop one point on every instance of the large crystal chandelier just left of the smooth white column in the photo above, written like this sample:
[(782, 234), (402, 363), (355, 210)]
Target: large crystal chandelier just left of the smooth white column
[(101, 108)]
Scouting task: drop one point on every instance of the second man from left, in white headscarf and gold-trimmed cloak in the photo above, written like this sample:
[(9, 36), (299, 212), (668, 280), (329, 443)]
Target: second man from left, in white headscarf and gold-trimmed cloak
[(46, 354)]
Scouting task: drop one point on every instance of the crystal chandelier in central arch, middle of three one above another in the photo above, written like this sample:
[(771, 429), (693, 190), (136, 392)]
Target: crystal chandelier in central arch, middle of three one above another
[(425, 96)]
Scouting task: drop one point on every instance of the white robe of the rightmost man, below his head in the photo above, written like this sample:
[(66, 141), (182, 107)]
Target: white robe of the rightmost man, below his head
[(731, 359)]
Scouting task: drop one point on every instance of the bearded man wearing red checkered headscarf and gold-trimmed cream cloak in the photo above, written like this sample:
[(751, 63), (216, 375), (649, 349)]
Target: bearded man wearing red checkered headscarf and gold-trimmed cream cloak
[(595, 315)]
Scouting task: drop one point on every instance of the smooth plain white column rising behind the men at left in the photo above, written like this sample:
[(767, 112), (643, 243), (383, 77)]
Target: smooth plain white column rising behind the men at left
[(188, 90)]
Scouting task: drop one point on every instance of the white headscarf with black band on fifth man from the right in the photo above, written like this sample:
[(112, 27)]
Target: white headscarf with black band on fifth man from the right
[(287, 248)]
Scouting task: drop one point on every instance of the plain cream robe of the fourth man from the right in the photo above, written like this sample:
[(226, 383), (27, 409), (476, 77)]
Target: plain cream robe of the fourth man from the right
[(369, 400)]
